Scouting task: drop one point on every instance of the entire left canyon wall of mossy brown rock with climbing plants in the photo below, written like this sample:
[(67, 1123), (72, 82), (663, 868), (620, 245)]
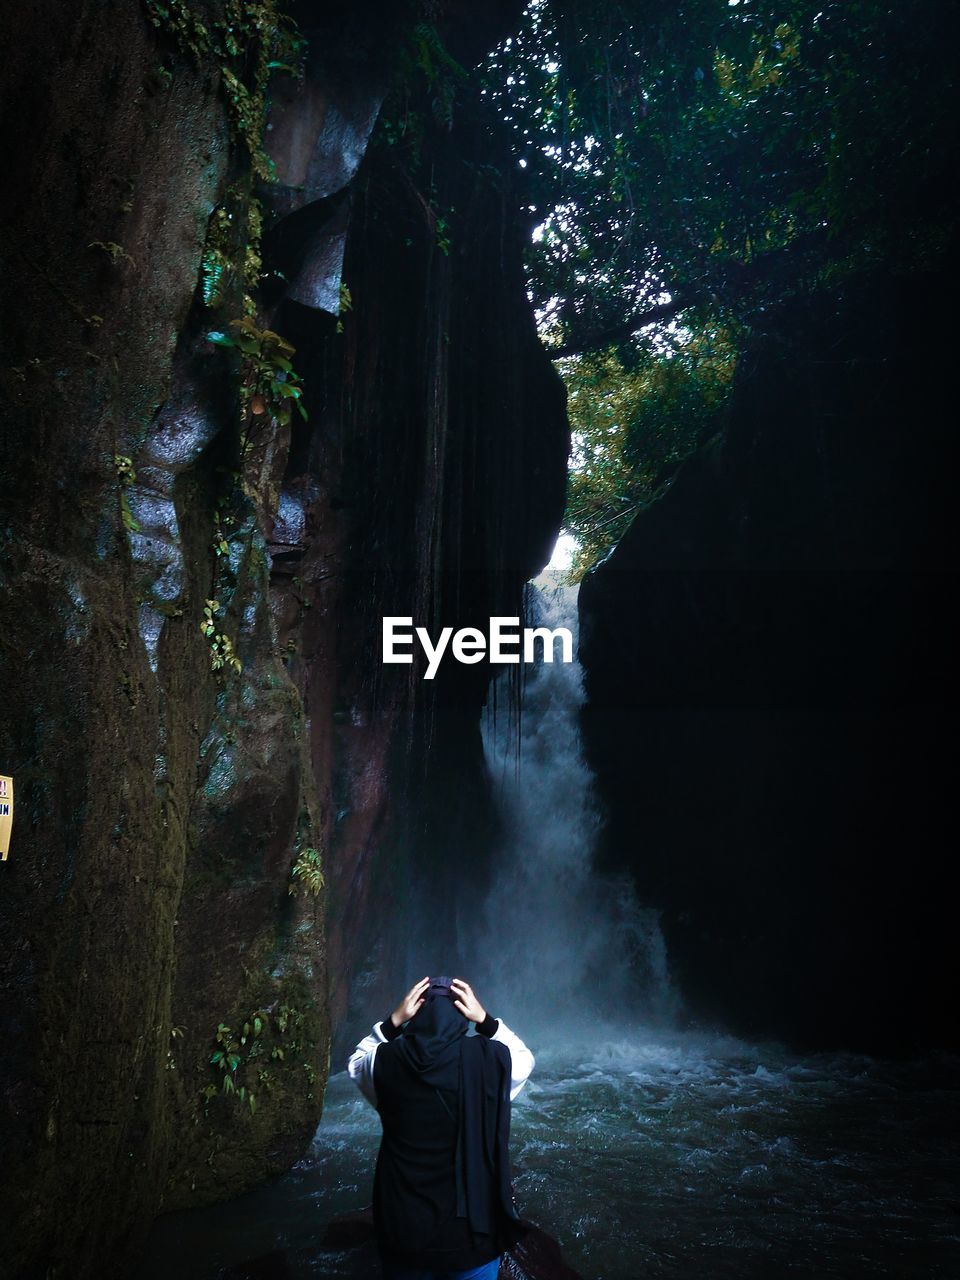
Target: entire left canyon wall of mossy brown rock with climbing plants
[(149, 904)]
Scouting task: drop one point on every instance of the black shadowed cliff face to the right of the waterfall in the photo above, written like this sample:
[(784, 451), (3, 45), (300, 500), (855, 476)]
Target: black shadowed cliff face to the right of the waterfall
[(769, 678)]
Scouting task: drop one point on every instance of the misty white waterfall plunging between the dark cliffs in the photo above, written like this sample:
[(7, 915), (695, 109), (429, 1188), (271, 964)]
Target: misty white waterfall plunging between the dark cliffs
[(560, 943)]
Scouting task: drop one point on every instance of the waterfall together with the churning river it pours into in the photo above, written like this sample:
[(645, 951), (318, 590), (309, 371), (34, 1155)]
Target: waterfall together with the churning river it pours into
[(646, 1150)]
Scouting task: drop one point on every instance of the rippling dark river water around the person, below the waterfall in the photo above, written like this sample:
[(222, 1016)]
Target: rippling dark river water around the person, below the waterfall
[(670, 1156)]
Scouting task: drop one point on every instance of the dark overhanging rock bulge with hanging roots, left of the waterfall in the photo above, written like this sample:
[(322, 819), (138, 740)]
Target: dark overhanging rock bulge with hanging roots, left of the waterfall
[(432, 486)]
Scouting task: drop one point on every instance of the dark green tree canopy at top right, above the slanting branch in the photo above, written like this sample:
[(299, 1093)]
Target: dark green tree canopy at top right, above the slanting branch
[(726, 154)]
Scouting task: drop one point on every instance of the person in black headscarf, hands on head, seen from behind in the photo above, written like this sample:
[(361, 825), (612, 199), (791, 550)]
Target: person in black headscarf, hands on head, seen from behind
[(444, 1206)]
